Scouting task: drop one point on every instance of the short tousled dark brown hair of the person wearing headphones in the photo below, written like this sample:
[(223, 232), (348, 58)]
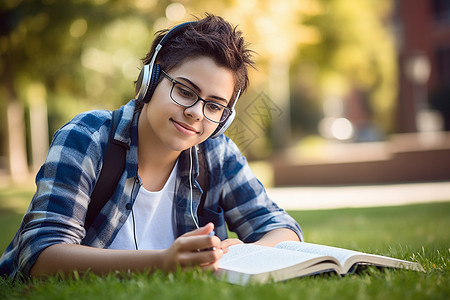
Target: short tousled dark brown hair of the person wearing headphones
[(213, 37)]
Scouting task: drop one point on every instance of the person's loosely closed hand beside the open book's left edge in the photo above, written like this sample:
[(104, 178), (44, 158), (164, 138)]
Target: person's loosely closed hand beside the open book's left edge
[(186, 251)]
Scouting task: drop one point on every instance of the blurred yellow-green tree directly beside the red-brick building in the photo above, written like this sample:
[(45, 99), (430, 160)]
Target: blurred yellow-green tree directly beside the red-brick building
[(355, 53)]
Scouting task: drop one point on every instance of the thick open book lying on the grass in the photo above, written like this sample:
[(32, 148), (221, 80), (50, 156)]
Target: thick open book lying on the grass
[(252, 263)]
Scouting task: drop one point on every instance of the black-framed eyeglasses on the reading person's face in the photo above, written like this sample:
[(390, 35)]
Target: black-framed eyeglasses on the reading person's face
[(184, 96)]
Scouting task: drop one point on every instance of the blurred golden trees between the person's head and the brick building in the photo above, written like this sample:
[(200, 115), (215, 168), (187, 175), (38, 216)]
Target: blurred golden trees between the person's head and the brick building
[(311, 51)]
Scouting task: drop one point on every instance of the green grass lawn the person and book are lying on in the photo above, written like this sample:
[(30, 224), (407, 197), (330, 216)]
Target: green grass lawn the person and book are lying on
[(415, 232)]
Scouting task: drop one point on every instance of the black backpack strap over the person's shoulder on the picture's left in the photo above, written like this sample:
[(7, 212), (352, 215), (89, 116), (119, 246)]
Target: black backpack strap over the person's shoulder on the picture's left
[(112, 169)]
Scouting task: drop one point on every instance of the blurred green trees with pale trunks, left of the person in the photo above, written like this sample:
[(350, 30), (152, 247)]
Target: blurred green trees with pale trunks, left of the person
[(65, 54)]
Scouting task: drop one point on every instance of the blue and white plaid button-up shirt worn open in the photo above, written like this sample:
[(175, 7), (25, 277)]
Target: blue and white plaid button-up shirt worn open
[(67, 178)]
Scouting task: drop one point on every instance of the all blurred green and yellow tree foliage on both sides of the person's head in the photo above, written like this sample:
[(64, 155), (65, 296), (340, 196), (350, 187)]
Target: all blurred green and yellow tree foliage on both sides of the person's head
[(77, 55)]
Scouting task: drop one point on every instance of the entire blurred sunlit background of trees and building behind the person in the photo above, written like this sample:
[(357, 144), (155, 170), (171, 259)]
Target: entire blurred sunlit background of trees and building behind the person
[(345, 92)]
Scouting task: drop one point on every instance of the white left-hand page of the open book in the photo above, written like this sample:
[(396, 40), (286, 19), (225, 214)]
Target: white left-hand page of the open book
[(254, 259)]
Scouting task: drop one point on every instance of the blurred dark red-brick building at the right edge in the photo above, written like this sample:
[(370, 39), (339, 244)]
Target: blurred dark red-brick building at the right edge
[(423, 36)]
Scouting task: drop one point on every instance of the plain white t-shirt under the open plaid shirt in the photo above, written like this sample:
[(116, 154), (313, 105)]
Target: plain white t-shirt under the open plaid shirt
[(153, 219)]
